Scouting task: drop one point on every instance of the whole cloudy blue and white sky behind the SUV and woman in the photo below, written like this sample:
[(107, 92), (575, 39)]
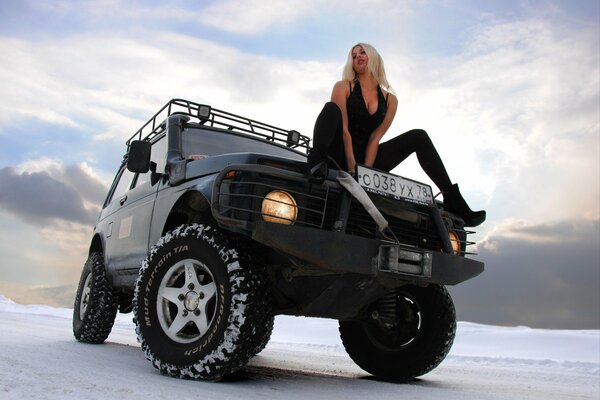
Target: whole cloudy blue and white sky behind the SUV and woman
[(508, 90)]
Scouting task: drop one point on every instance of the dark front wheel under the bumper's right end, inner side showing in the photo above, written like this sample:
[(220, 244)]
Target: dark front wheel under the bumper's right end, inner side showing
[(414, 343)]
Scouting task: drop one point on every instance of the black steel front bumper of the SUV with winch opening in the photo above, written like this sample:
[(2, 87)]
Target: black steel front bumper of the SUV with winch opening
[(341, 253)]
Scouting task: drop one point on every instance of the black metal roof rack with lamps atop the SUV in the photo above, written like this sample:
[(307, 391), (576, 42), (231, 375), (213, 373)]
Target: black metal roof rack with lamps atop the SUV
[(206, 115)]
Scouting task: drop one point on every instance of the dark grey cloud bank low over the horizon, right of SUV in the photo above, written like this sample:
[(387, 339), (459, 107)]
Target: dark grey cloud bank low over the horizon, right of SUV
[(536, 274)]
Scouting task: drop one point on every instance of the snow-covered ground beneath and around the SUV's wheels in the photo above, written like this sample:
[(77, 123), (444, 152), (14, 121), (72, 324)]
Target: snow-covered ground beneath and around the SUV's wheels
[(39, 358)]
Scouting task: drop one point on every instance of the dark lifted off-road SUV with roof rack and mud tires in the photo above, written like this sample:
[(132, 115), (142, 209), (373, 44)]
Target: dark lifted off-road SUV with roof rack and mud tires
[(214, 225)]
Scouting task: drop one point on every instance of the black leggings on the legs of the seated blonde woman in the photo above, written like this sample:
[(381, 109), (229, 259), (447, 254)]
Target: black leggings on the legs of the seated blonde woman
[(328, 141)]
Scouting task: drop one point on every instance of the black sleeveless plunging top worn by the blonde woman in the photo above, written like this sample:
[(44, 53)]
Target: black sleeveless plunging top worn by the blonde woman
[(360, 123)]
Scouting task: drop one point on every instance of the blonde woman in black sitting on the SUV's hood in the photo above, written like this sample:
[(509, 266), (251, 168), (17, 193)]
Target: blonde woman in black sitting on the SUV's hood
[(350, 127)]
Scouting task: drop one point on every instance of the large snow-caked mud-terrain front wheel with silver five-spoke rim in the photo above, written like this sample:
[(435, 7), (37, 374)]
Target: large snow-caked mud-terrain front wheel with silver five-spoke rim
[(237, 306)]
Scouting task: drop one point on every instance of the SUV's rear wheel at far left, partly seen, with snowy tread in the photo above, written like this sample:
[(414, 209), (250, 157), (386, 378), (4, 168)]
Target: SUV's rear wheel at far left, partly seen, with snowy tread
[(96, 303)]
